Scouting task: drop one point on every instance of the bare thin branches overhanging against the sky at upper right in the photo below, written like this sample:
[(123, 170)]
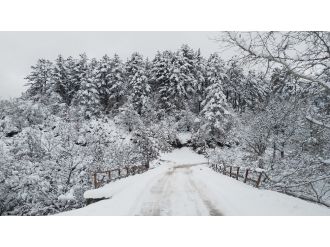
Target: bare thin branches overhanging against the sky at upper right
[(305, 55)]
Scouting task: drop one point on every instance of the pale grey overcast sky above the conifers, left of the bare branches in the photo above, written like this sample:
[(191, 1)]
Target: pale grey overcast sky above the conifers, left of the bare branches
[(20, 50)]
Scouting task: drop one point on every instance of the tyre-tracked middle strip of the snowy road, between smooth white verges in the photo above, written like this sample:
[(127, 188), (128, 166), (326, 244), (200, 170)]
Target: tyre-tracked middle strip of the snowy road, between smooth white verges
[(176, 193)]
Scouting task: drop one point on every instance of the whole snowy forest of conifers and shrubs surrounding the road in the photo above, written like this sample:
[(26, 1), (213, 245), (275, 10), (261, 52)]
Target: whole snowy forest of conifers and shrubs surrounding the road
[(84, 114)]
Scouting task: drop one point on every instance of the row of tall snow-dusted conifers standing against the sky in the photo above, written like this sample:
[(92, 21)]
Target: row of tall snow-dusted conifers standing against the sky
[(181, 84)]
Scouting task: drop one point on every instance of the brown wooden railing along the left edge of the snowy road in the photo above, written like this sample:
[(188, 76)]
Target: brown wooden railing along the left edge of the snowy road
[(101, 177)]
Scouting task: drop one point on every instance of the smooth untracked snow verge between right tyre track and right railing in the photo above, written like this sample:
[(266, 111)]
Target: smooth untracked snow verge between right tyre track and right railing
[(237, 198)]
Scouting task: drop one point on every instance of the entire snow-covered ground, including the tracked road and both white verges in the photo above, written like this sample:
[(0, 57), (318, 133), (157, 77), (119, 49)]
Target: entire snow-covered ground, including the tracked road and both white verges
[(184, 186)]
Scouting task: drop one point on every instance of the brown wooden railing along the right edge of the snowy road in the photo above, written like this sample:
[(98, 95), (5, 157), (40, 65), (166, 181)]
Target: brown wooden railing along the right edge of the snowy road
[(247, 175)]
